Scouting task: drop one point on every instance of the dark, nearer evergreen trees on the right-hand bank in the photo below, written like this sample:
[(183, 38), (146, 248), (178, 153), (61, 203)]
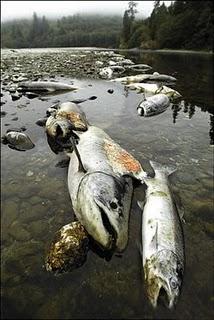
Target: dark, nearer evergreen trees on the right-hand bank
[(182, 25)]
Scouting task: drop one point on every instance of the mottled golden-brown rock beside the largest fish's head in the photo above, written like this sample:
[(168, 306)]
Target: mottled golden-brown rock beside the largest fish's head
[(69, 249)]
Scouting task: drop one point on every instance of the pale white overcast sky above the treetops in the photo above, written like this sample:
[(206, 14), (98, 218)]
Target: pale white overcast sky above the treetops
[(25, 9)]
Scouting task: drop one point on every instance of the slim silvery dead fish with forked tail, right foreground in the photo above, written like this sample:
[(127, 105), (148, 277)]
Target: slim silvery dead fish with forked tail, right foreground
[(162, 239)]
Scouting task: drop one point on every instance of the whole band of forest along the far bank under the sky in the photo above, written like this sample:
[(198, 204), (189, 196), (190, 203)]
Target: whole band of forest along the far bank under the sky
[(182, 25)]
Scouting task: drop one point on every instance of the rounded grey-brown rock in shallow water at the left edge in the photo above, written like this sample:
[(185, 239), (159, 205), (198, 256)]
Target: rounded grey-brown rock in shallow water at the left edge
[(18, 141)]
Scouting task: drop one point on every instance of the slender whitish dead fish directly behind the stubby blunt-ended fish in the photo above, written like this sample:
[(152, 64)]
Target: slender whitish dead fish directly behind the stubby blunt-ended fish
[(154, 88)]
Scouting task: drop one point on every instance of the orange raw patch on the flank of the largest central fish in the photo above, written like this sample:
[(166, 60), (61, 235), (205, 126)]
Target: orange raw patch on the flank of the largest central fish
[(116, 154)]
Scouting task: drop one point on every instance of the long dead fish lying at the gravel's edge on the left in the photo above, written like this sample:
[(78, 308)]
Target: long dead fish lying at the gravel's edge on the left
[(45, 86)]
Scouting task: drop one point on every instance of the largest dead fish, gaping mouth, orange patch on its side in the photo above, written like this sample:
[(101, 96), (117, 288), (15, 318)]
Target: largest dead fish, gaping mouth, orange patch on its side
[(101, 188)]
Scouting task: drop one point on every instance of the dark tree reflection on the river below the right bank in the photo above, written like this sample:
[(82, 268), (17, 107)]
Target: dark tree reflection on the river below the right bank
[(193, 71)]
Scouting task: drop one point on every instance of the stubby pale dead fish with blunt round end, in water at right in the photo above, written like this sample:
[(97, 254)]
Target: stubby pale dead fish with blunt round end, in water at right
[(153, 105)]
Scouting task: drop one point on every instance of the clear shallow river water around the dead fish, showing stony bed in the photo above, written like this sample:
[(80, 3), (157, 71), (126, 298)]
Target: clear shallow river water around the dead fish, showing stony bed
[(35, 202)]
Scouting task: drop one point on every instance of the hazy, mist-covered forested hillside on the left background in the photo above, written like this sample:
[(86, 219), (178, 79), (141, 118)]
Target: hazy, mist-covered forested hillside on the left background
[(71, 31)]
